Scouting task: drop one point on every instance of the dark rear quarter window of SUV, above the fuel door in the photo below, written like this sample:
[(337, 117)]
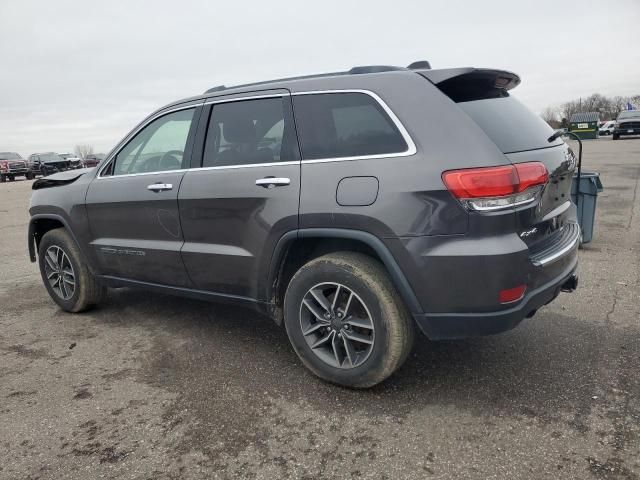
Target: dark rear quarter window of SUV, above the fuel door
[(335, 125)]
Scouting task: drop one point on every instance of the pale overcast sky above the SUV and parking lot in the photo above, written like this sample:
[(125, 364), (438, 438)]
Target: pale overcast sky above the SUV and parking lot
[(85, 71)]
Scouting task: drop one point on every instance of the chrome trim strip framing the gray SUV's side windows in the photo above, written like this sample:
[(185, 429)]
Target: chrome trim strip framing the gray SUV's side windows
[(411, 147)]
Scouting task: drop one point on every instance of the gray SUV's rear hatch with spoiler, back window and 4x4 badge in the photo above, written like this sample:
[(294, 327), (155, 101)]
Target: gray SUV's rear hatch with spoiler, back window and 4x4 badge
[(522, 136)]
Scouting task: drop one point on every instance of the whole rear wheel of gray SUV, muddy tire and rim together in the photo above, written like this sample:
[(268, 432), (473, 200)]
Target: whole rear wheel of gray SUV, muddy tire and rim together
[(389, 327)]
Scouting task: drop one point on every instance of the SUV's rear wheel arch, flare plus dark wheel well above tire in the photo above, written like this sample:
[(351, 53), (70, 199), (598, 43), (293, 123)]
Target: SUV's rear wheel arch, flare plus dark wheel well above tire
[(299, 246)]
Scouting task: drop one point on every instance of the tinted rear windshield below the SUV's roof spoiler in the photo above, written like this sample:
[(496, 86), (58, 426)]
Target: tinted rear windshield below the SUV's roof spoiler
[(509, 124)]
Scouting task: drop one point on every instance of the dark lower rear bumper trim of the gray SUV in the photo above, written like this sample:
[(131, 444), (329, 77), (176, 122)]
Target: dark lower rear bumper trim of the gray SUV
[(440, 326)]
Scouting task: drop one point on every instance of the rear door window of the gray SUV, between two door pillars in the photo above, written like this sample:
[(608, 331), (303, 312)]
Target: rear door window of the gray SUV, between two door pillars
[(250, 132)]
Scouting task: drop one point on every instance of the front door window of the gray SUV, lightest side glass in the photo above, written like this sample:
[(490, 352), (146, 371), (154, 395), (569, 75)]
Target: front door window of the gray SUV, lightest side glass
[(157, 147)]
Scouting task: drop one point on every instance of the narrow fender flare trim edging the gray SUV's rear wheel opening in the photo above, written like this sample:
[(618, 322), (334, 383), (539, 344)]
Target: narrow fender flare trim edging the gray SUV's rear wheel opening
[(395, 272)]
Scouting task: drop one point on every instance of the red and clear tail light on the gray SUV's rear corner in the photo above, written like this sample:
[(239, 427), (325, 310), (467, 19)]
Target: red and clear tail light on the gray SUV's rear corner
[(494, 188)]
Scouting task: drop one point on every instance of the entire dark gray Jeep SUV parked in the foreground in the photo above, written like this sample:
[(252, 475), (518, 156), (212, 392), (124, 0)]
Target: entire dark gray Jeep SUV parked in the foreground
[(354, 208)]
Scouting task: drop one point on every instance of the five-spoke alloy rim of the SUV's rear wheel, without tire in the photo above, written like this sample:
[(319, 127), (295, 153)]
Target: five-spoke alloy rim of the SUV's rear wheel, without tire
[(337, 325)]
